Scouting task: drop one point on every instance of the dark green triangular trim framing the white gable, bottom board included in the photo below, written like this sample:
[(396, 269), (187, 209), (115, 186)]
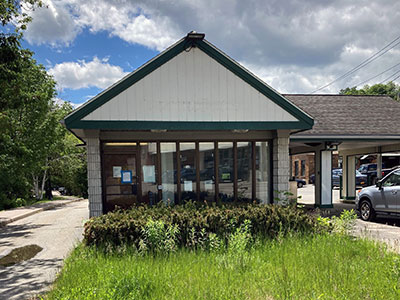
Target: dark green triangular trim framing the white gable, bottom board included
[(74, 120)]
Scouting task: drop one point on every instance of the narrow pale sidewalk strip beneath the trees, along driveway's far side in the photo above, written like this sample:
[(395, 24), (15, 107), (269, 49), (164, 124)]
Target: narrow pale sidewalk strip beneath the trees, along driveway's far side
[(11, 215)]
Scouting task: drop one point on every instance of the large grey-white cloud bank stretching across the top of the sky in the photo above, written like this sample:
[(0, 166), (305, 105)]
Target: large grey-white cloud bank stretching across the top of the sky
[(295, 46)]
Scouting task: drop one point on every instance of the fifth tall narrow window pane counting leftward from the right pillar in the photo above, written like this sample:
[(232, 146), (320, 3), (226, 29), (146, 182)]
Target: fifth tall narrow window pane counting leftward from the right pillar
[(188, 171)]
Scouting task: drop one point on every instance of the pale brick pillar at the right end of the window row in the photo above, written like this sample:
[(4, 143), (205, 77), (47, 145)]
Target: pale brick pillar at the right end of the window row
[(281, 167)]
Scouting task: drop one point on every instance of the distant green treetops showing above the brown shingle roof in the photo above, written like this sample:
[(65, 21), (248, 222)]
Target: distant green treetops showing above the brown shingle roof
[(391, 89)]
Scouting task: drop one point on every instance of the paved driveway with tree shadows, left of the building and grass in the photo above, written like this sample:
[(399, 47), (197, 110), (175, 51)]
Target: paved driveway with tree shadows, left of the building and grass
[(56, 231)]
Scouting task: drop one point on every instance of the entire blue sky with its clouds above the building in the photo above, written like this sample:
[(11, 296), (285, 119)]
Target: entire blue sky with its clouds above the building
[(294, 46)]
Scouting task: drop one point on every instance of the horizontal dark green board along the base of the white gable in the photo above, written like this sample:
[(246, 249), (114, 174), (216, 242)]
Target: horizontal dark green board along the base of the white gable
[(170, 125)]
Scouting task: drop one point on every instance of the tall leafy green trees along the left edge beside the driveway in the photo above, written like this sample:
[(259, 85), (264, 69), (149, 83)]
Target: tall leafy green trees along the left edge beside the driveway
[(32, 140)]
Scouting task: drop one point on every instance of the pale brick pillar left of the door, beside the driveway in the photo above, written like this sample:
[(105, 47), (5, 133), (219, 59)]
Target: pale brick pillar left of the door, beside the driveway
[(94, 177)]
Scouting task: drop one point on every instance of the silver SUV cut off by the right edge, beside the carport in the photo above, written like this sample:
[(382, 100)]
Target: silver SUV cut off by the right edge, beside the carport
[(381, 198)]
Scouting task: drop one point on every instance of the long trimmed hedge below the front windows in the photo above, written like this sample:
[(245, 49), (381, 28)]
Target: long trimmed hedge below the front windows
[(126, 226)]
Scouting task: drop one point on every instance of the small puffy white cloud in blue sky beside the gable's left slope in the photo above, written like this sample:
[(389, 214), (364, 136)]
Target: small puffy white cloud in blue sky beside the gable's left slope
[(82, 74)]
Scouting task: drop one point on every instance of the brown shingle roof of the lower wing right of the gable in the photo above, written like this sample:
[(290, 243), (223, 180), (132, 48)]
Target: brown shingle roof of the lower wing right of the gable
[(349, 115)]
